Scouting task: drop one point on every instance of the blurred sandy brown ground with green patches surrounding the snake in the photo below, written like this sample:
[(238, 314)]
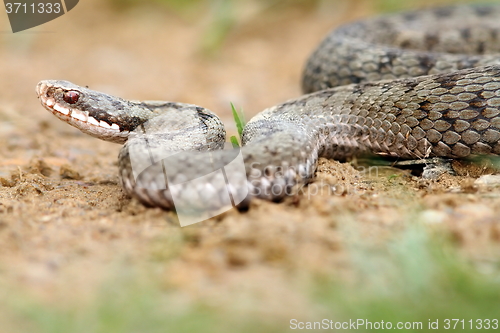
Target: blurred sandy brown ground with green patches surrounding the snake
[(78, 256)]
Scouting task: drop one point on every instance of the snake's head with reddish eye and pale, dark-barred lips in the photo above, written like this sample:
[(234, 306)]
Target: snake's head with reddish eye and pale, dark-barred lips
[(92, 112)]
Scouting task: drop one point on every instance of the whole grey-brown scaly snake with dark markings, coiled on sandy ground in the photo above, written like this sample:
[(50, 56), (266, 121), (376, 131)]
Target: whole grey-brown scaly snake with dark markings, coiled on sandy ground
[(417, 84)]
